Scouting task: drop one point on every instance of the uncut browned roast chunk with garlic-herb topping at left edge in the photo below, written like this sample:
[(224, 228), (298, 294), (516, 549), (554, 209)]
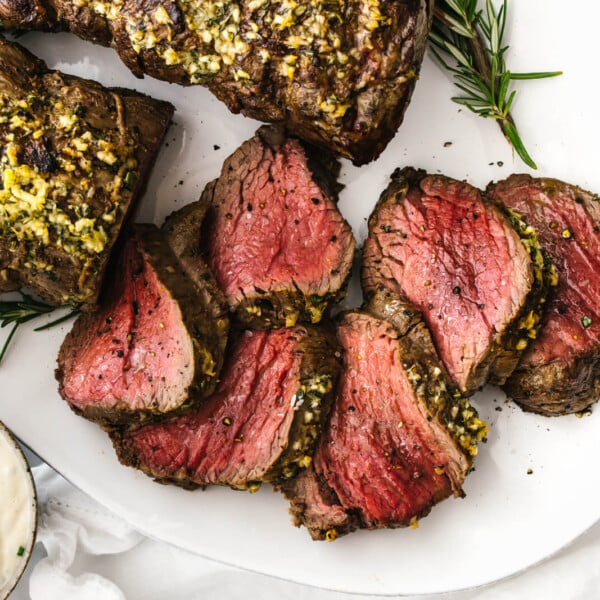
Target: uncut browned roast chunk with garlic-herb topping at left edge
[(75, 158)]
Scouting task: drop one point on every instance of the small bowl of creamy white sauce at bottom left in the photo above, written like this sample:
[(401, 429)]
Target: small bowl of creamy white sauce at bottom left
[(18, 512)]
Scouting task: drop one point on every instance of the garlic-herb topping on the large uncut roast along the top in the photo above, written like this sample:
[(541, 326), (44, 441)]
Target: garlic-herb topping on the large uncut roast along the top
[(207, 37)]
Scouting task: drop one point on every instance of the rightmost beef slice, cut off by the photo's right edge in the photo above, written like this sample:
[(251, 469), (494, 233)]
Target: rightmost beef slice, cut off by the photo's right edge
[(560, 371)]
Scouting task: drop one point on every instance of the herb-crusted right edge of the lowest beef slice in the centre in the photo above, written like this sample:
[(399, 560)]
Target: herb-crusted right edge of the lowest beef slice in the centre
[(428, 376)]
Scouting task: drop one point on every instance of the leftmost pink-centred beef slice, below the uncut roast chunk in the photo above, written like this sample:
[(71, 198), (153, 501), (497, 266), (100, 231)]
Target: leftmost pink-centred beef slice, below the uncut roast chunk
[(151, 348)]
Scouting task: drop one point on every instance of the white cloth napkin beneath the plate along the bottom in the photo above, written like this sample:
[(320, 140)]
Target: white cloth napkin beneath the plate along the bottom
[(84, 552)]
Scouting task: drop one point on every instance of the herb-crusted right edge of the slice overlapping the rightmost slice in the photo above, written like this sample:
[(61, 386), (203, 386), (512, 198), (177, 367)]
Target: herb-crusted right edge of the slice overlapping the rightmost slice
[(505, 353)]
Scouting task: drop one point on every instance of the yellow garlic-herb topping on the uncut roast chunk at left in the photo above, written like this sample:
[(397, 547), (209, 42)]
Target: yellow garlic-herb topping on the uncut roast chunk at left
[(62, 181)]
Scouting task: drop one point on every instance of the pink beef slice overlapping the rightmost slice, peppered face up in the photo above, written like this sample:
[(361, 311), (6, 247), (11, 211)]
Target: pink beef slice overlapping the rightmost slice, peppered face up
[(475, 274)]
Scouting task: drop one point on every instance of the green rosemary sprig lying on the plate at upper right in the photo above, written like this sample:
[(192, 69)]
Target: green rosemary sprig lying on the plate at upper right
[(473, 40)]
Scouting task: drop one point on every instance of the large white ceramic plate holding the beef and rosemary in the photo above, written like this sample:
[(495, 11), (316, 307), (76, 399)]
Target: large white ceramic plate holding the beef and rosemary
[(510, 519)]
